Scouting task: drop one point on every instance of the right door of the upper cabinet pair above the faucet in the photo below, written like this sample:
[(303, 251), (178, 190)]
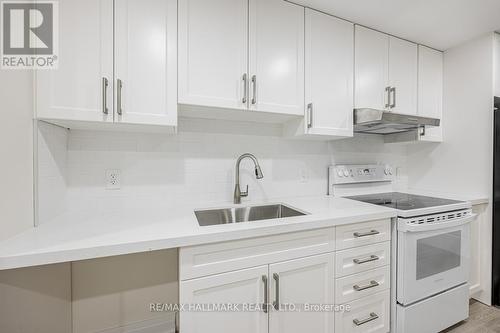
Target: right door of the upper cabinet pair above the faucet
[(276, 57)]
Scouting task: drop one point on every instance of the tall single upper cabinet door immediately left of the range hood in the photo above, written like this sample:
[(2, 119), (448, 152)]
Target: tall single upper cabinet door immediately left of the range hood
[(329, 74)]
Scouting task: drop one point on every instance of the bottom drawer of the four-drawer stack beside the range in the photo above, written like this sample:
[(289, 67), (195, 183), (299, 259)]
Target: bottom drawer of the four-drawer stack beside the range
[(367, 315)]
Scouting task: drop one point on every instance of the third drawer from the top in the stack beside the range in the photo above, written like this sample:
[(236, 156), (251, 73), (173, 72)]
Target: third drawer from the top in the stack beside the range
[(361, 285)]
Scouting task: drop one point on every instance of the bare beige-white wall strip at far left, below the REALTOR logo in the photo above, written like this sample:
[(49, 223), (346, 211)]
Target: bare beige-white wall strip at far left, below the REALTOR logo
[(16, 151)]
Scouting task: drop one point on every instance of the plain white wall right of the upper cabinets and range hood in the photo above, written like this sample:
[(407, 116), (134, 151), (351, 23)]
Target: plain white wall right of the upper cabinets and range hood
[(463, 164)]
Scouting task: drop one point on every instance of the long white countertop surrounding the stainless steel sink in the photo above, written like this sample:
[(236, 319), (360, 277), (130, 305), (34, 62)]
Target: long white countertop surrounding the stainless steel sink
[(70, 239)]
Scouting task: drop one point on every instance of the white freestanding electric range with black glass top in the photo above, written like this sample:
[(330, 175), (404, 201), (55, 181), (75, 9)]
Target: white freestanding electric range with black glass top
[(430, 241)]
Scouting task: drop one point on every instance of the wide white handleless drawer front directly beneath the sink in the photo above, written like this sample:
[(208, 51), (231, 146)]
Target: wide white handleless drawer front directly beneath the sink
[(203, 260)]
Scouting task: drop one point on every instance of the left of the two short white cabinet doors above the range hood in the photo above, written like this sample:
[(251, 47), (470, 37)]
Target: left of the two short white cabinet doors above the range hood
[(371, 71)]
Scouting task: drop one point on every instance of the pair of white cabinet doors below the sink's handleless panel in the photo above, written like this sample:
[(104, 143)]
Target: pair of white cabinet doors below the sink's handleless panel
[(280, 296)]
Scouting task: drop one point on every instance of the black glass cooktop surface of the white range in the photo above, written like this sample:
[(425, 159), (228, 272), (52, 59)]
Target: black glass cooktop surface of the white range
[(403, 201)]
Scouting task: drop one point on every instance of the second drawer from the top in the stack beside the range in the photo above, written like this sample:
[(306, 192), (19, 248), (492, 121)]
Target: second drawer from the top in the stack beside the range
[(361, 259)]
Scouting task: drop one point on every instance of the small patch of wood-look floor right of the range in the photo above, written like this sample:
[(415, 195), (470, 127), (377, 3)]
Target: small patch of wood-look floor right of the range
[(482, 319)]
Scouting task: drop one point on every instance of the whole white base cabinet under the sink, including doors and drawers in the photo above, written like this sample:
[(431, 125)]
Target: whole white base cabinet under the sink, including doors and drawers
[(297, 283)]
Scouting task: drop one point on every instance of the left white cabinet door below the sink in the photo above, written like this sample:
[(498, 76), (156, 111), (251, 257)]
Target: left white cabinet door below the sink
[(244, 287)]
